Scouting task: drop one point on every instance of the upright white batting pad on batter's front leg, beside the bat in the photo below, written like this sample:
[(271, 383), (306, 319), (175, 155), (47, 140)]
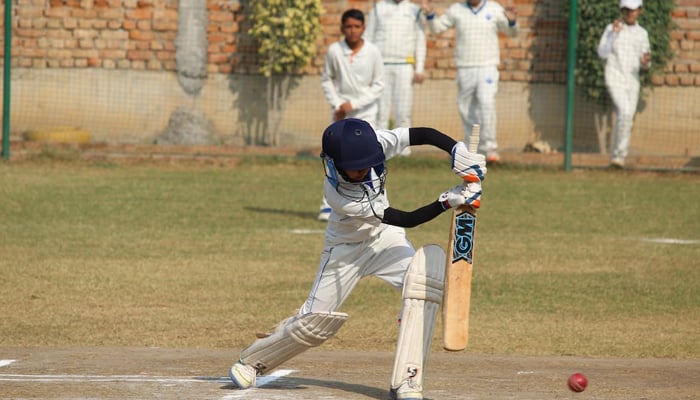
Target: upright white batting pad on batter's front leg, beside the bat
[(422, 296)]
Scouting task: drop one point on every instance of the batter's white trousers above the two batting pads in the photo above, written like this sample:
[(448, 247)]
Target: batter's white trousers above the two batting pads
[(385, 256)]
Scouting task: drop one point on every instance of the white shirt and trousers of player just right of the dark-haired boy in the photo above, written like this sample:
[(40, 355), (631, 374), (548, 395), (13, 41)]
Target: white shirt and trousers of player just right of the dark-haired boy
[(397, 30)]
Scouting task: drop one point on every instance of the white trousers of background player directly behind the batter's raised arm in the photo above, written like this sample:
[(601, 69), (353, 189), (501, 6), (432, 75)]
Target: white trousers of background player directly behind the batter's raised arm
[(397, 96)]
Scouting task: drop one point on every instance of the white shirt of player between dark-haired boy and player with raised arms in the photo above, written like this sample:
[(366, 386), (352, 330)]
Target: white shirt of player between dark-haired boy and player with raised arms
[(398, 31)]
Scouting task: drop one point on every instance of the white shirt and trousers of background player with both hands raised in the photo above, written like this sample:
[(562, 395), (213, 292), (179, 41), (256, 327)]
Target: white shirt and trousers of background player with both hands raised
[(477, 56)]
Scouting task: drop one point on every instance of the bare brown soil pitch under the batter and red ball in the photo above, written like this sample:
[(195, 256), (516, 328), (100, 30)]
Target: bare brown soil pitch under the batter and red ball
[(118, 373)]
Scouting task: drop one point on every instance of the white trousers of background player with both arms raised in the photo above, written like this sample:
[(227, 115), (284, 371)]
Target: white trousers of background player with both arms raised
[(476, 100)]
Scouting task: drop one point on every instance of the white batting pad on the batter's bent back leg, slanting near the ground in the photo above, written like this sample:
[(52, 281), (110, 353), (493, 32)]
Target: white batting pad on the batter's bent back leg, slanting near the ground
[(293, 337)]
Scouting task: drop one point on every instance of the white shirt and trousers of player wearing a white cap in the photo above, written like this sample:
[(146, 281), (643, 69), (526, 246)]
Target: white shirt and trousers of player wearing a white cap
[(622, 52)]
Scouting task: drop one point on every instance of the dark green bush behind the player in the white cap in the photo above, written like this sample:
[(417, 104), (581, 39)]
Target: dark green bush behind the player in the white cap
[(593, 17)]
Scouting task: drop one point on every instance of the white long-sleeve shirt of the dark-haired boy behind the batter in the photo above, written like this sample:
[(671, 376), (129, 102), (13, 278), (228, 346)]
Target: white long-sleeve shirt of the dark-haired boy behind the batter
[(352, 77)]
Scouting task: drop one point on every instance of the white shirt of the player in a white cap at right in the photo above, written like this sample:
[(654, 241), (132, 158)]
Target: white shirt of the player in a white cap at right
[(622, 52)]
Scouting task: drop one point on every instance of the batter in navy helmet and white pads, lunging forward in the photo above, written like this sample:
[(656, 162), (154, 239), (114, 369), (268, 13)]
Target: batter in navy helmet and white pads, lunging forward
[(365, 236)]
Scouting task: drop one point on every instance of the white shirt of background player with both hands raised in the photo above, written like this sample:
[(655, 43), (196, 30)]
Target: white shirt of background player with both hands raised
[(477, 31)]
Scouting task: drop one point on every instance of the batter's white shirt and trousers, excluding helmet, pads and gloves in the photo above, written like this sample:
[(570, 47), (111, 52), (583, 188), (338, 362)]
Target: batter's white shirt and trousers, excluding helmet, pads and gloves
[(357, 243)]
